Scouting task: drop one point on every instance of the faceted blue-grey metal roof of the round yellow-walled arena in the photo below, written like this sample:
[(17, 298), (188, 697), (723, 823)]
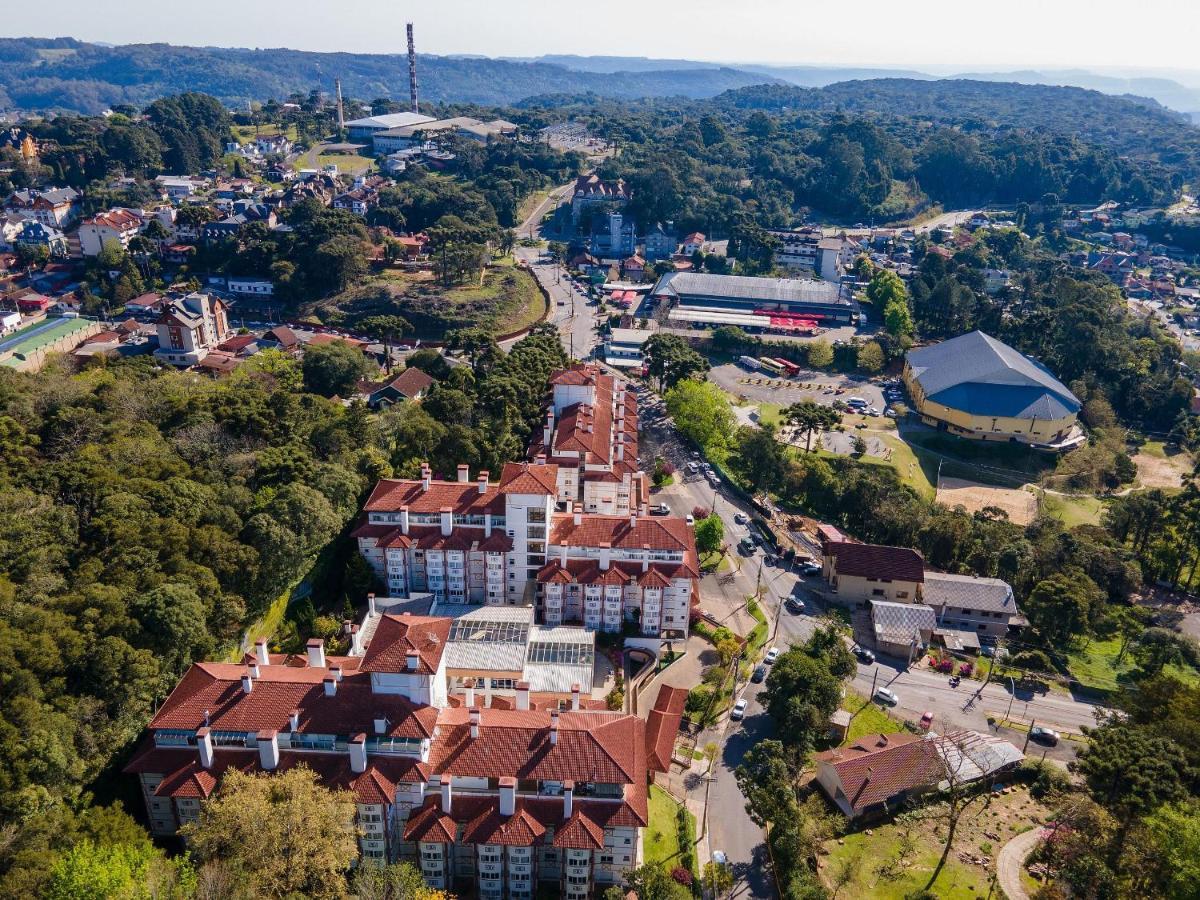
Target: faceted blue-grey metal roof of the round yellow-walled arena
[(980, 375)]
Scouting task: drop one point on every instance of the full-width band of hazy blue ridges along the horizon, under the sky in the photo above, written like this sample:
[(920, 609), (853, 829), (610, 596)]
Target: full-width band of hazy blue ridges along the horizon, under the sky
[(68, 75)]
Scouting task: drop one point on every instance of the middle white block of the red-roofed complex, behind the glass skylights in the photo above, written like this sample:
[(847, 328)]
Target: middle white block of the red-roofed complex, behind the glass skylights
[(505, 544)]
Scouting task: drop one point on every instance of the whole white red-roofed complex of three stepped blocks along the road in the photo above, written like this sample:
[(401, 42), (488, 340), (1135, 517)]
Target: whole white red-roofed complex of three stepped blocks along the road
[(466, 711)]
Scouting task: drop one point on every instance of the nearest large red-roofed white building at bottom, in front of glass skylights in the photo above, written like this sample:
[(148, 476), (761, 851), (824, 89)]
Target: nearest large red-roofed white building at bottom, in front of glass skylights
[(501, 800)]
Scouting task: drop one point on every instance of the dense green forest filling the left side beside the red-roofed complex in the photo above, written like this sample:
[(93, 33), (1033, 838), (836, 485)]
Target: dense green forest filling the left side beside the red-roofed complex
[(147, 518)]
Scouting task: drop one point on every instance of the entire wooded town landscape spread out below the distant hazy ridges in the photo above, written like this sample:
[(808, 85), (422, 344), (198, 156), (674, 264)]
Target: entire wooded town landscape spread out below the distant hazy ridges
[(423, 500)]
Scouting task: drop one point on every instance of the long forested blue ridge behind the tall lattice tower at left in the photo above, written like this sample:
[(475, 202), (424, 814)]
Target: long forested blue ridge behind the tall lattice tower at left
[(68, 75)]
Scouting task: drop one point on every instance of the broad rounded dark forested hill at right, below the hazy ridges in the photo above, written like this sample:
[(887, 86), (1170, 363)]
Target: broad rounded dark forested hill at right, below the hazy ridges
[(1136, 127)]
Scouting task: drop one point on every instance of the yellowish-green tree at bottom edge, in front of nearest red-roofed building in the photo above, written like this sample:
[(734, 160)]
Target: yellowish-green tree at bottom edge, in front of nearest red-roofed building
[(295, 836)]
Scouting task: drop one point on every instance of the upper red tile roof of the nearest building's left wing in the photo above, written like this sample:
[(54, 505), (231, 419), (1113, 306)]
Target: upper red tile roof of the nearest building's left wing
[(214, 691)]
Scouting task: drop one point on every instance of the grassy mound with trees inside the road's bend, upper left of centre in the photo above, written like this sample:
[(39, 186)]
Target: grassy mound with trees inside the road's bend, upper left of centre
[(506, 302)]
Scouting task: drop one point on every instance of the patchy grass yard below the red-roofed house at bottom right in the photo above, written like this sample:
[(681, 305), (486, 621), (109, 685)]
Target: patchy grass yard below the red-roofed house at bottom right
[(897, 860)]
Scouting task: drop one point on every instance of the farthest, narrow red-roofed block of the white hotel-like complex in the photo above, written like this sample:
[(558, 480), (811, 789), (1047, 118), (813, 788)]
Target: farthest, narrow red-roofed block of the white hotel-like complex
[(591, 436)]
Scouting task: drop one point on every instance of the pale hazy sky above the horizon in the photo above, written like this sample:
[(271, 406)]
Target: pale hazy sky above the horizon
[(963, 34)]
